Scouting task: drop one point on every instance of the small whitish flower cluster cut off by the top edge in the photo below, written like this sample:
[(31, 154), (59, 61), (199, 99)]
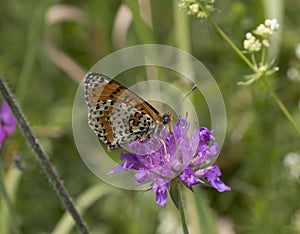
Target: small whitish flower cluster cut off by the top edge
[(192, 7)]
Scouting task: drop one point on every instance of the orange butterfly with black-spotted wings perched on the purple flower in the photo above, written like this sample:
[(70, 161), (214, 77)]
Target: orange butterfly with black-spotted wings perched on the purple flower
[(117, 115)]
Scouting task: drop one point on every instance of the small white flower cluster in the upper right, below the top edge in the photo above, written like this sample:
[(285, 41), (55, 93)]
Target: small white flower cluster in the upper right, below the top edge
[(262, 34)]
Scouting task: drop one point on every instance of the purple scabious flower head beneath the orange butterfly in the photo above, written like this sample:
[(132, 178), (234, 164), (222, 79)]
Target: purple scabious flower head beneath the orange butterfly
[(174, 155)]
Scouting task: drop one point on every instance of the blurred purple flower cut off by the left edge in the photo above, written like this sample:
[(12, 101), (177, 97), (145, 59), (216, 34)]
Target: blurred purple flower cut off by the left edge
[(7, 123)]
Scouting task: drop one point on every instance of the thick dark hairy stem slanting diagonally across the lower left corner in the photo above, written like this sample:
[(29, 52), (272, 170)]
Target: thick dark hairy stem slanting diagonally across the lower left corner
[(43, 159)]
